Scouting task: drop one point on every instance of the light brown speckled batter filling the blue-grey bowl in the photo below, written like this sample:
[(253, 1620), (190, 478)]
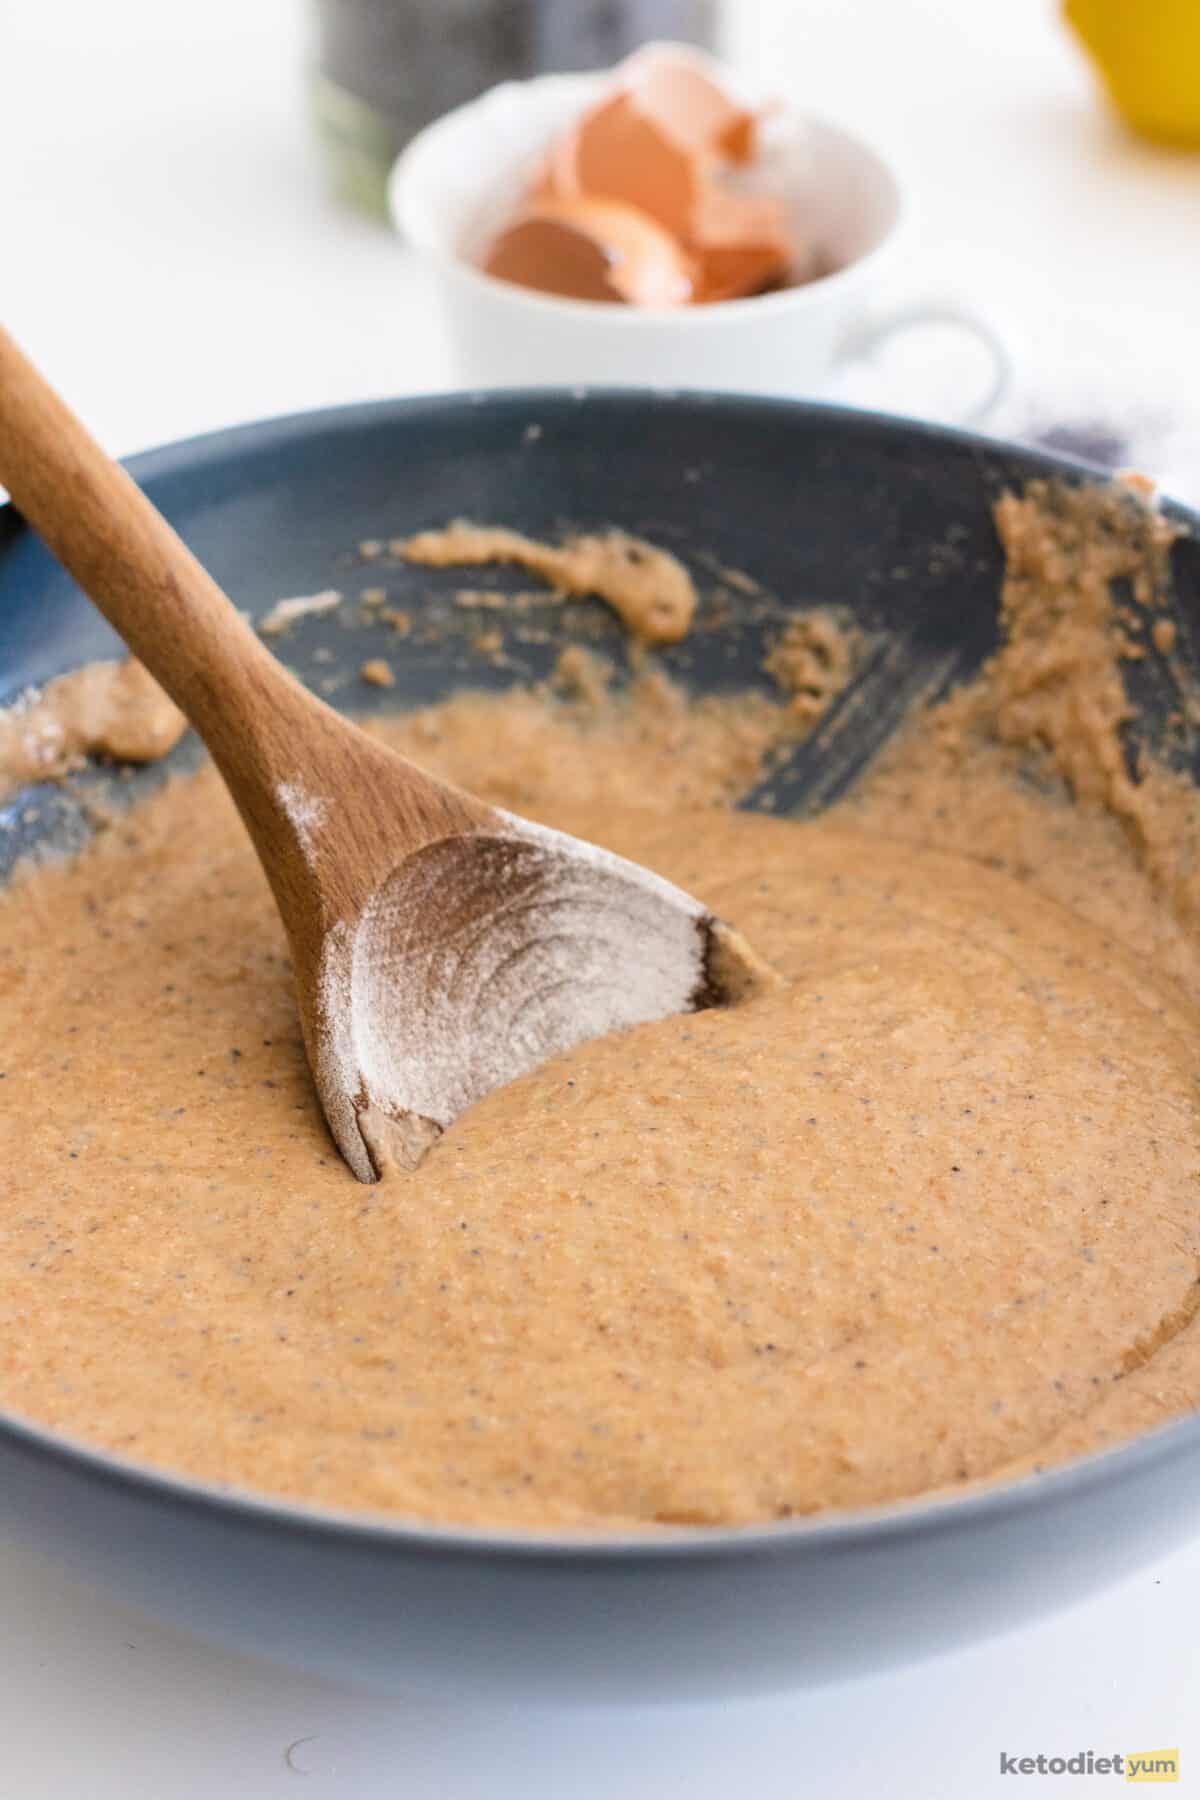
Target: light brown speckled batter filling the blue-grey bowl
[(920, 1214)]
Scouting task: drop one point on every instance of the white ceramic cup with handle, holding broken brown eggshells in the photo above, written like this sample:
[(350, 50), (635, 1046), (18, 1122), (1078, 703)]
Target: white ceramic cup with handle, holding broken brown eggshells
[(463, 175)]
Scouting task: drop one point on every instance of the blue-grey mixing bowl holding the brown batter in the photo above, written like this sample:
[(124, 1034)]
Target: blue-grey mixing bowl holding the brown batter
[(818, 507)]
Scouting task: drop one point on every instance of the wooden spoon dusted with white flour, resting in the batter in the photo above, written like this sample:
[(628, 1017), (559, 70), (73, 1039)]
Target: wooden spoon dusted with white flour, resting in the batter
[(440, 946)]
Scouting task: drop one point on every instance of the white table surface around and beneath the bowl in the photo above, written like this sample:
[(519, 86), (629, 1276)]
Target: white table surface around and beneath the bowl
[(170, 258)]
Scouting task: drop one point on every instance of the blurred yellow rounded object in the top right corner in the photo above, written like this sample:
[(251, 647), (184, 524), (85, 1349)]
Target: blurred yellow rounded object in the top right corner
[(1149, 53)]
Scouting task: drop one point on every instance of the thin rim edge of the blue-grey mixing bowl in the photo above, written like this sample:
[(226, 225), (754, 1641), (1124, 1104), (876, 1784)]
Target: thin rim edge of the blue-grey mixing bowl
[(989, 1502)]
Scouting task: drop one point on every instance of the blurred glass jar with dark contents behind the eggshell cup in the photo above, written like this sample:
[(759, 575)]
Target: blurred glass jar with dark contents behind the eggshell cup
[(384, 69)]
